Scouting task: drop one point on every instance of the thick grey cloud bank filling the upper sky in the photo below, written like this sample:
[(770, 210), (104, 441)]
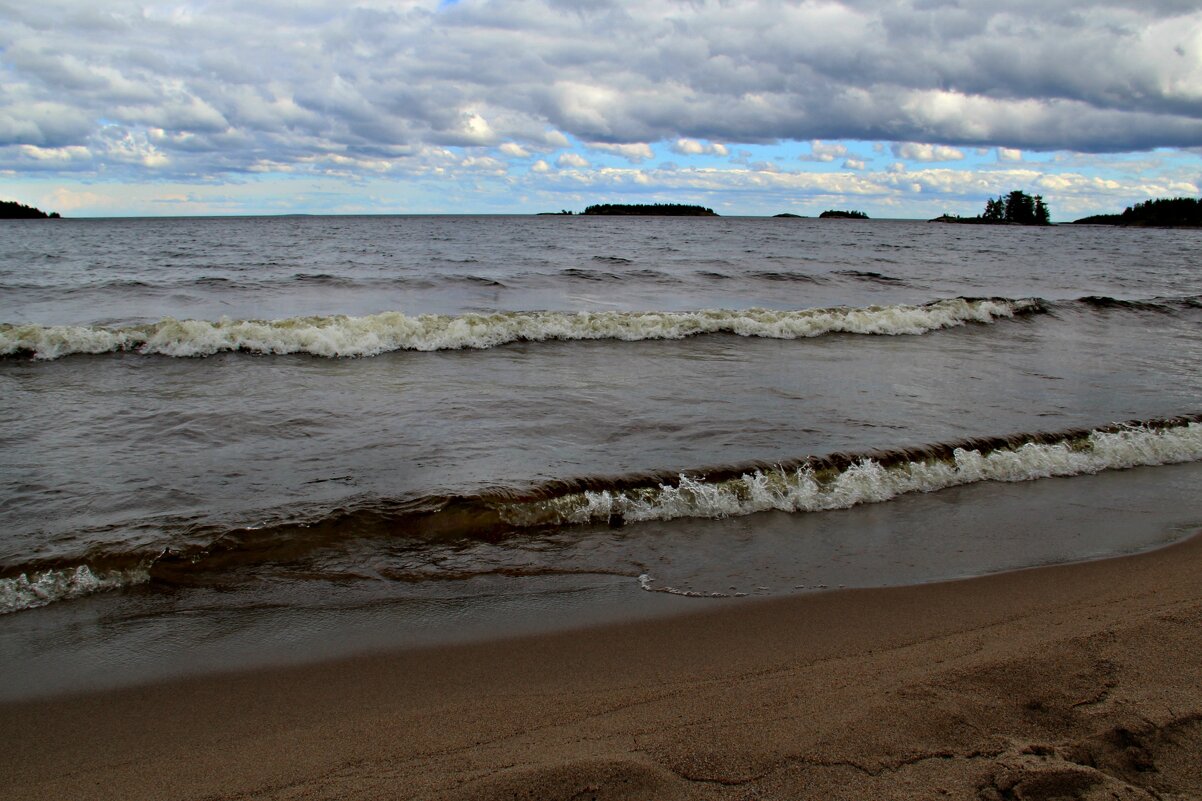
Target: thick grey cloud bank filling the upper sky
[(200, 87)]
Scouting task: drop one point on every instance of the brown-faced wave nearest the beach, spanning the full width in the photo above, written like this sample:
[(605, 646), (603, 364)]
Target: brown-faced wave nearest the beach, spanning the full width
[(807, 485)]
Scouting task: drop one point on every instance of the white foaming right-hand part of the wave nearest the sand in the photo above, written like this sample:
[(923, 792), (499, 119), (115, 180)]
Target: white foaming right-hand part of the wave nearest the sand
[(806, 489)]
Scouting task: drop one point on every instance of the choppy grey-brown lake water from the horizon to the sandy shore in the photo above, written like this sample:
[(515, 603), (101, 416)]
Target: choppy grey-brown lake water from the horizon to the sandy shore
[(324, 414)]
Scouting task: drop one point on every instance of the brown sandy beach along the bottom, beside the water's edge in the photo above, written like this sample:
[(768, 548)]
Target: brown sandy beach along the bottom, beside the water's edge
[(1069, 683)]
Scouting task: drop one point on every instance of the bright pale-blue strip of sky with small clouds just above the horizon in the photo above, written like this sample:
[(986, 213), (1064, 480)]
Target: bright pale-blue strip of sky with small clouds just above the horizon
[(438, 179)]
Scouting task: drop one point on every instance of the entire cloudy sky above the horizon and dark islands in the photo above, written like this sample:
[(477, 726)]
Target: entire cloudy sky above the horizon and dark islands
[(901, 109)]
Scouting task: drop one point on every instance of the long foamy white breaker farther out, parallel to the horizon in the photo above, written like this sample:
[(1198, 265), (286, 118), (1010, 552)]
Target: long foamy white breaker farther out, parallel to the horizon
[(378, 334)]
